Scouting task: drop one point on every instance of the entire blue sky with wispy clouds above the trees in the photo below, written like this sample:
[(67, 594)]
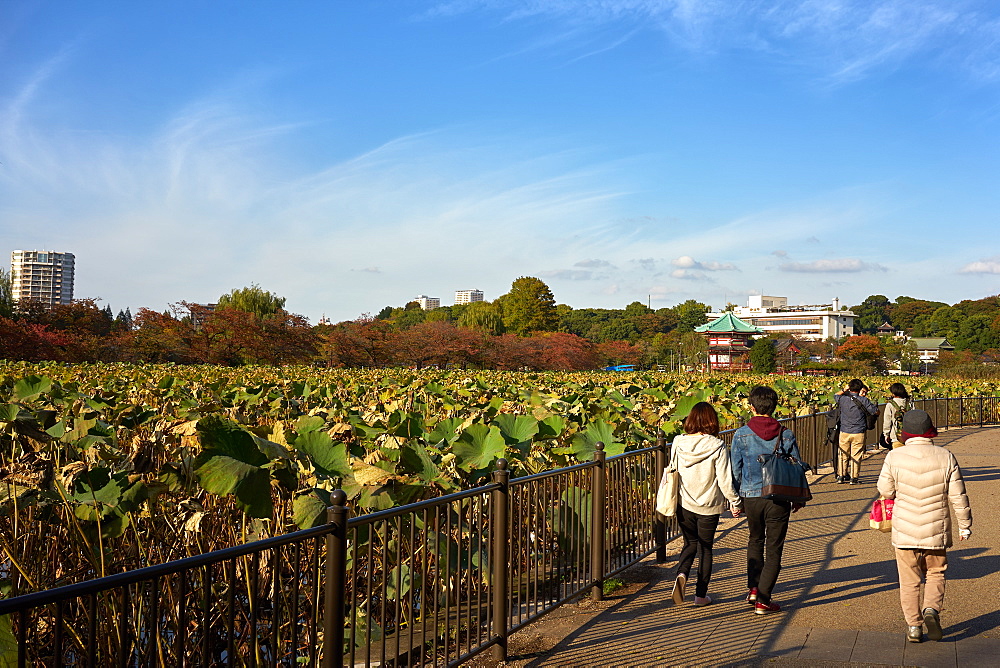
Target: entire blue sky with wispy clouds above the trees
[(352, 155)]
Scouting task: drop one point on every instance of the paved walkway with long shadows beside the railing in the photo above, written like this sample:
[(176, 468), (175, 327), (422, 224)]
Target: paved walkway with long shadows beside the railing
[(838, 589)]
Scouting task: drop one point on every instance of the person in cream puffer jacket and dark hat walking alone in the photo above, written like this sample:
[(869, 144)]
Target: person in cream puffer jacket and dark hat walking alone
[(924, 479)]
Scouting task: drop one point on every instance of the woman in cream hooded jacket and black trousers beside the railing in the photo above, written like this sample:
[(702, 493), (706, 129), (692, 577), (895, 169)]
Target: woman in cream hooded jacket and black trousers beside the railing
[(706, 484)]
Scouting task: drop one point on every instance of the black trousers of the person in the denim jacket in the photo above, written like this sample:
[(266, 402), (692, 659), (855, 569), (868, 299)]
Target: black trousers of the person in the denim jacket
[(768, 524)]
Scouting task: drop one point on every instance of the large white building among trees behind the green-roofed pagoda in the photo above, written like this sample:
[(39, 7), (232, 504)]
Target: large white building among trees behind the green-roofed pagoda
[(809, 322)]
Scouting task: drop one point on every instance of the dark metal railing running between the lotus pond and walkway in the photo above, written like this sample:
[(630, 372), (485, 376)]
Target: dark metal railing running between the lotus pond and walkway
[(430, 583)]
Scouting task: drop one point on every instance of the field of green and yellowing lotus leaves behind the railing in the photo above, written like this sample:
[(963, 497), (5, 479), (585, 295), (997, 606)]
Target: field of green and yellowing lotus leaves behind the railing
[(110, 467)]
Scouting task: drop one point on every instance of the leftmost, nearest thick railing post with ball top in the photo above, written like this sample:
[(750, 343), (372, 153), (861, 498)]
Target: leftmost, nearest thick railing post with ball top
[(335, 582)]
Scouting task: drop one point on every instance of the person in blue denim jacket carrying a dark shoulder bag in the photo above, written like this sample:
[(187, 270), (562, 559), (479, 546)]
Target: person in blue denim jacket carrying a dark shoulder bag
[(767, 519)]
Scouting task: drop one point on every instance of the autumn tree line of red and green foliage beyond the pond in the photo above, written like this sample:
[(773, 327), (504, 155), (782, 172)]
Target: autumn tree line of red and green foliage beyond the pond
[(522, 329)]
